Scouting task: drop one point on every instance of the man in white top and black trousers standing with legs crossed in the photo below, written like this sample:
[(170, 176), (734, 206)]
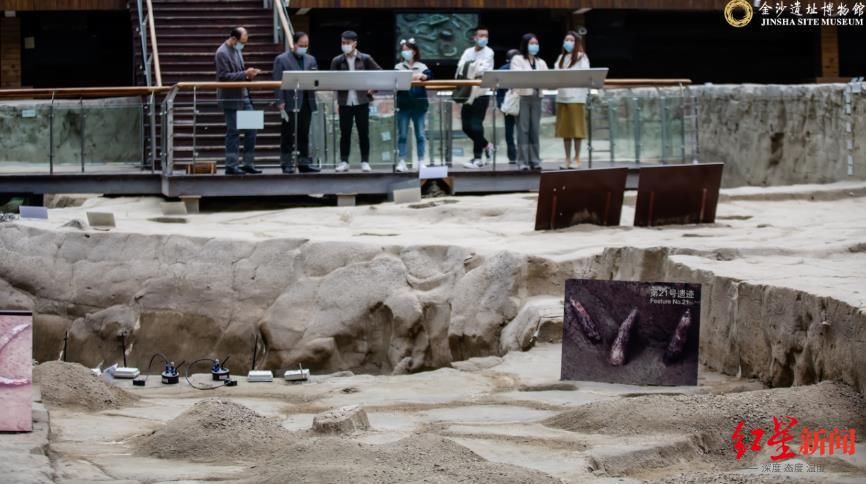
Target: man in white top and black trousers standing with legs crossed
[(480, 59)]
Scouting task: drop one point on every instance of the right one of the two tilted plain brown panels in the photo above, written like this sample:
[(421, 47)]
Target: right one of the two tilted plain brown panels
[(677, 194)]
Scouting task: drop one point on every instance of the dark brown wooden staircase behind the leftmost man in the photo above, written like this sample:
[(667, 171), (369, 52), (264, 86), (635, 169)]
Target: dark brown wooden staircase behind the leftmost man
[(188, 32)]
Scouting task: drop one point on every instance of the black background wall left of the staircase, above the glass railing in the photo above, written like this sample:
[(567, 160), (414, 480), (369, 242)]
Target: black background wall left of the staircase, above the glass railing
[(76, 49)]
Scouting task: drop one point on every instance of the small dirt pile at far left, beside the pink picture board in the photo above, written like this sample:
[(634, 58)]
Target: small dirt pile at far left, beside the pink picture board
[(73, 385)]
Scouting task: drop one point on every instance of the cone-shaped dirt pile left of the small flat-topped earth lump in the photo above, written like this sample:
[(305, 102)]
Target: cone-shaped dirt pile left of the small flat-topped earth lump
[(213, 430)]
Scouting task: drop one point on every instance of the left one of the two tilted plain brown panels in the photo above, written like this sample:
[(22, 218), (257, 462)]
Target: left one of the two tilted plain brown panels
[(574, 197)]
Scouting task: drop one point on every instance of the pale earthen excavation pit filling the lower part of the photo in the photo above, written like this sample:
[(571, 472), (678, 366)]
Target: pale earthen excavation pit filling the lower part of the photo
[(442, 333)]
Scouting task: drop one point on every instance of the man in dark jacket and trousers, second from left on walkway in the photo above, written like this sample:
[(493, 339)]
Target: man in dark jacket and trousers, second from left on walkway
[(296, 59)]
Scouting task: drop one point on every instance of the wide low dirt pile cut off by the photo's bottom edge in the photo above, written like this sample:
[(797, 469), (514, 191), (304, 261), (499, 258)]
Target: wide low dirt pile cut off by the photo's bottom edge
[(419, 458)]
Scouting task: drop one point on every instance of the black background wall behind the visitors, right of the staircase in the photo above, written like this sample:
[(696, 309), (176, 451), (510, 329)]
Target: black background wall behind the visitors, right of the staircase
[(633, 43)]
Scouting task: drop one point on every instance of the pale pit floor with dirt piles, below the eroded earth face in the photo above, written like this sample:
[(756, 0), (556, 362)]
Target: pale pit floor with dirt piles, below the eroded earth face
[(497, 420)]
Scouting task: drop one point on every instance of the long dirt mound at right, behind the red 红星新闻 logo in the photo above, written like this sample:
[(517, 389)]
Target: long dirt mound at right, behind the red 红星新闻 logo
[(700, 427)]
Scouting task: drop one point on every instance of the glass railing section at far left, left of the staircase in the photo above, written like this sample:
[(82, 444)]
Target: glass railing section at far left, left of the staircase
[(78, 136)]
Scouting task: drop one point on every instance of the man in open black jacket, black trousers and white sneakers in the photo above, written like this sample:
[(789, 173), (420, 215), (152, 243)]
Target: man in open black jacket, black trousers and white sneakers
[(354, 105)]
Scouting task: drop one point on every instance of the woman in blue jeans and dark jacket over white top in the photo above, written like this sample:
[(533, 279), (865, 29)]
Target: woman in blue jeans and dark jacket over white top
[(412, 105)]
